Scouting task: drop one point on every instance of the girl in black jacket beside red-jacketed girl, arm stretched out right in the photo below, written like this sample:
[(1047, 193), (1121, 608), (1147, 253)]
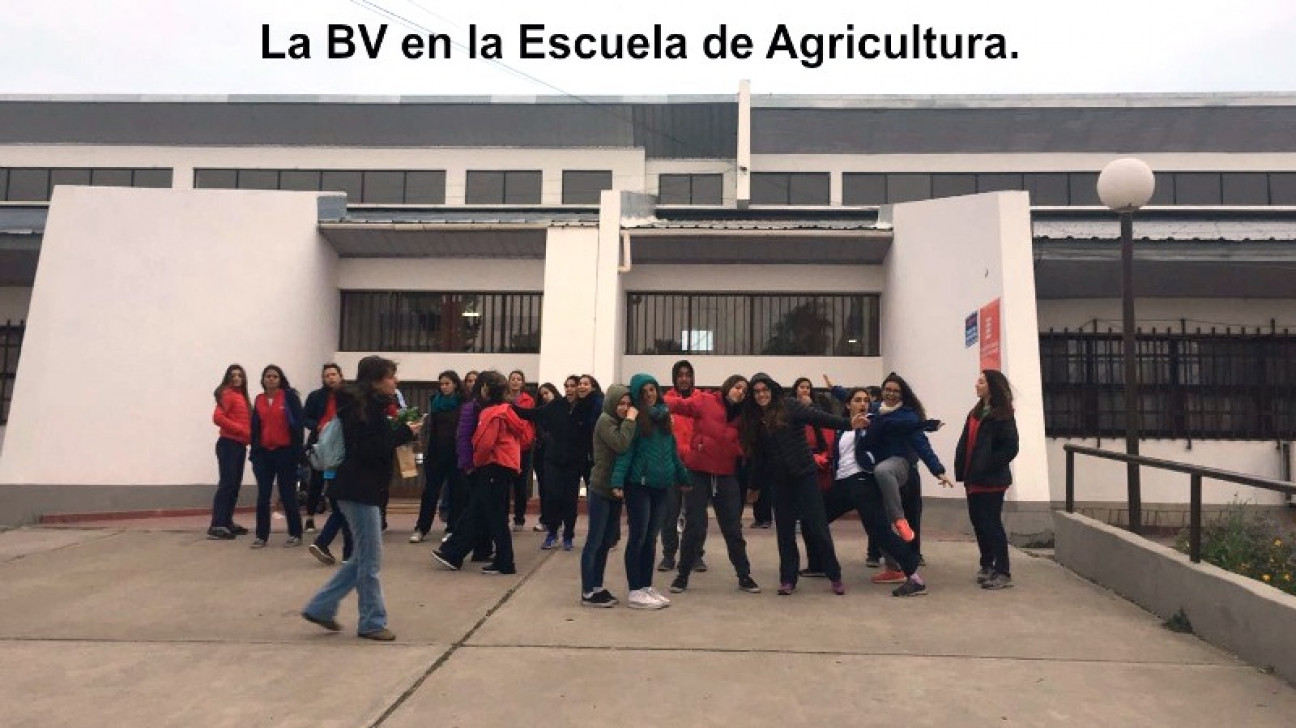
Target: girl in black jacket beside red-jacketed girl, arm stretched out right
[(773, 431)]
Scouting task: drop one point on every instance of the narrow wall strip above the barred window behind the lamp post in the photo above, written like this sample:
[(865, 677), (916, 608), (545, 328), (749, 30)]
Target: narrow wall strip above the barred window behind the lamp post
[(1163, 313)]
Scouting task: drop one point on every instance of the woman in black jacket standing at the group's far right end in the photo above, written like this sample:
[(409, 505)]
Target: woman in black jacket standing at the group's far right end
[(988, 445)]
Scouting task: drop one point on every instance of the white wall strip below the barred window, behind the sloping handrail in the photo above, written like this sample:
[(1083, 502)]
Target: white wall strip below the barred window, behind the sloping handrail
[(1105, 480)]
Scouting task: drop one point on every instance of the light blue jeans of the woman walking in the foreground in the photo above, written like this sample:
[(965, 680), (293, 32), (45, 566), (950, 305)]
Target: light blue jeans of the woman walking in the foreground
[(361, 573)]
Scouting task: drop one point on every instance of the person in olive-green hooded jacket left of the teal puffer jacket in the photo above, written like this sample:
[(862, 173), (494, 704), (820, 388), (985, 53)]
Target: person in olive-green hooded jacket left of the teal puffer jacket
[(614, 435)]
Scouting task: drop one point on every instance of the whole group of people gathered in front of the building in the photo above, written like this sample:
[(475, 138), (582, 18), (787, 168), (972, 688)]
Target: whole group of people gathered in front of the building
[(660, 455)]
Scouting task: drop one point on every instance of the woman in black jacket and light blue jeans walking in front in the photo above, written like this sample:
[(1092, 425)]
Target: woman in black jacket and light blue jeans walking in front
[(371, 436)]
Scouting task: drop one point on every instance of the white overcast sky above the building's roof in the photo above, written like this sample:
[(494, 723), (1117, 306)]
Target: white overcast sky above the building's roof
[(209, 47)]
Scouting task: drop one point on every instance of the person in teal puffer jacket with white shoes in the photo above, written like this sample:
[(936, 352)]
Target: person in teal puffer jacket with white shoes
[(643, 475)]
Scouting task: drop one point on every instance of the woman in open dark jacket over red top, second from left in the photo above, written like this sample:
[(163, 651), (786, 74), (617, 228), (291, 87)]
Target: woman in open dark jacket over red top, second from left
[(277, 451)]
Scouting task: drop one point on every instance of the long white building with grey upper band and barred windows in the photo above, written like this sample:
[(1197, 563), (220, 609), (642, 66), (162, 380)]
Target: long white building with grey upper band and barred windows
[(799, 236)]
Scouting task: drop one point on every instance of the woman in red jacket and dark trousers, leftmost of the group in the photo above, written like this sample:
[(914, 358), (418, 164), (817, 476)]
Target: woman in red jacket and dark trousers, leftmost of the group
[(234, 418)]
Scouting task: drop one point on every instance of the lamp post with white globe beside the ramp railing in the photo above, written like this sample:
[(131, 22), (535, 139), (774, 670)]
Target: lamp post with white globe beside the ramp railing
[(1126, 186)]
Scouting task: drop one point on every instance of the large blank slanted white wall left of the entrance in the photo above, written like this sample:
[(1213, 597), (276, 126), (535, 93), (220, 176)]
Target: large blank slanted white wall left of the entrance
[(141, 301)]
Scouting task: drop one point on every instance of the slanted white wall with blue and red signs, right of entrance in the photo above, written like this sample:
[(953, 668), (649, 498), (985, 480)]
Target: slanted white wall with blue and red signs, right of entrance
[(949, 258)]
